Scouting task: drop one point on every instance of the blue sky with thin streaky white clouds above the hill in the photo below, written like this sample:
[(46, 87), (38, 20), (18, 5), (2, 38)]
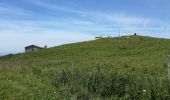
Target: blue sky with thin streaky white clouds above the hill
[(57, 22)]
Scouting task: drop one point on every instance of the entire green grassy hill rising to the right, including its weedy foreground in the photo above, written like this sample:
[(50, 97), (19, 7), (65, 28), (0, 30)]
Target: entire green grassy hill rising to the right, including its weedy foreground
[(132, 67)]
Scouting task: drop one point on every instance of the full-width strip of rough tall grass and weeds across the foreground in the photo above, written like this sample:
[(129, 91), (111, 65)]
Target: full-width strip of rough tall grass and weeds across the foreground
[(33, 82)]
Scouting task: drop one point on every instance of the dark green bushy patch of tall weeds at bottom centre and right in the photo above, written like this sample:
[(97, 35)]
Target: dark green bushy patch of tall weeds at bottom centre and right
[(113, 85)]
